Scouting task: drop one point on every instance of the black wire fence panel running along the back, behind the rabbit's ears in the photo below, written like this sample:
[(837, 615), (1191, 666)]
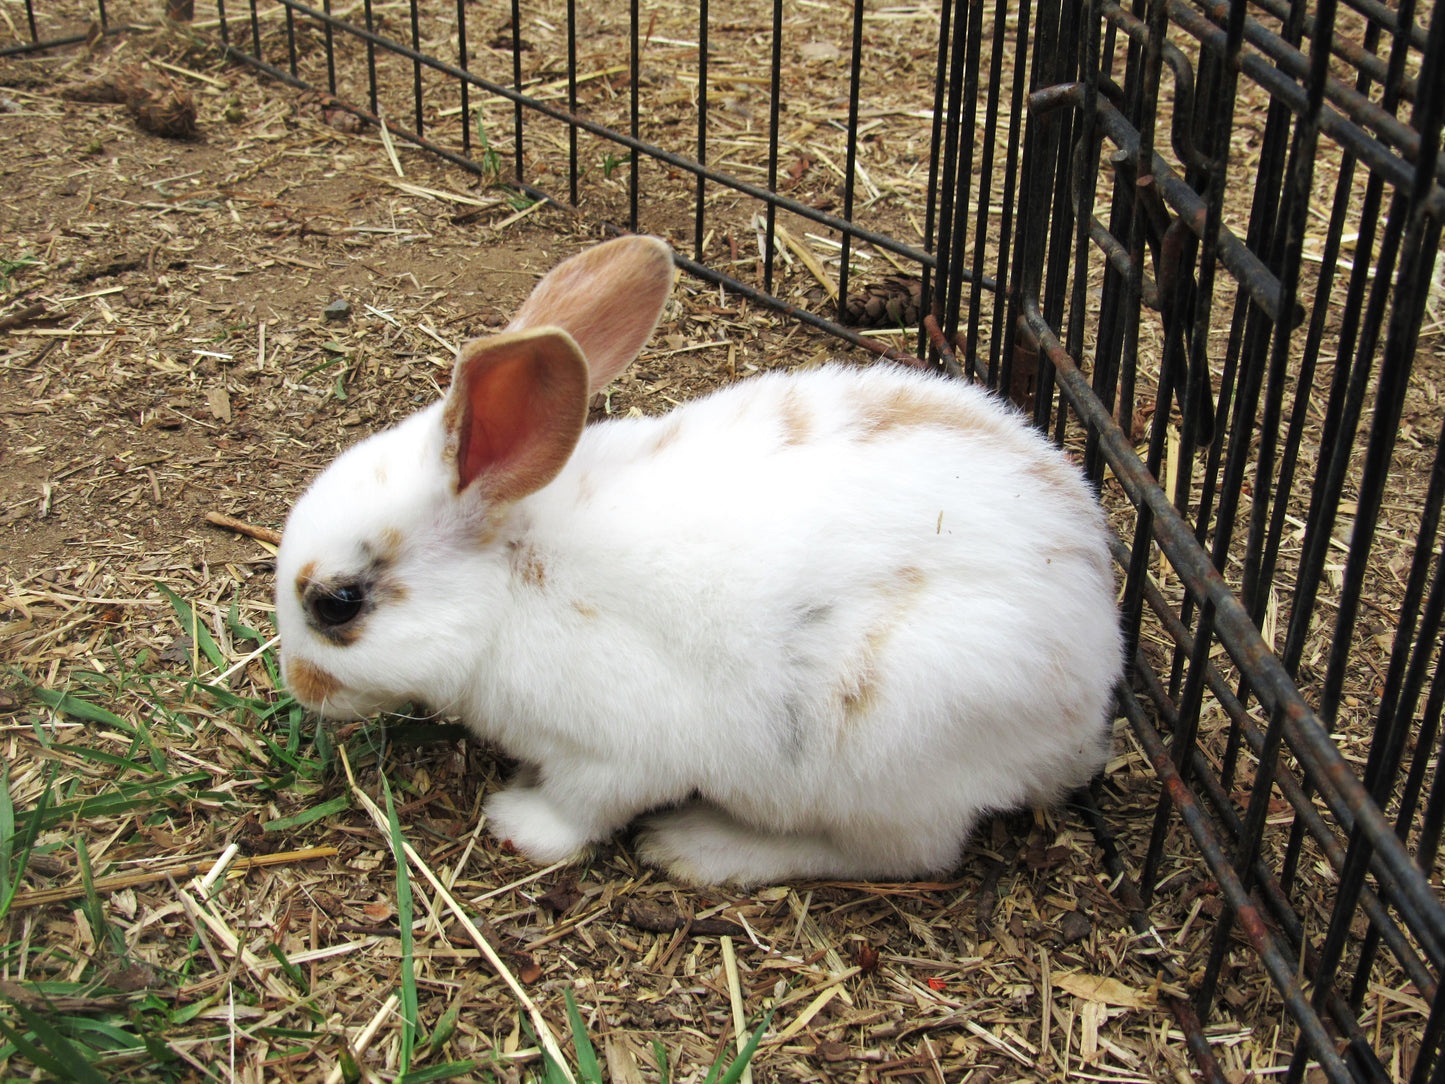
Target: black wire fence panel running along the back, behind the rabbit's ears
[(469, 85)]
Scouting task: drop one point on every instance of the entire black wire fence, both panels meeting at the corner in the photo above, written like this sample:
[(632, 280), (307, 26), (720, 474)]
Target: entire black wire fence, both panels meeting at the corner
[(1200, 242)]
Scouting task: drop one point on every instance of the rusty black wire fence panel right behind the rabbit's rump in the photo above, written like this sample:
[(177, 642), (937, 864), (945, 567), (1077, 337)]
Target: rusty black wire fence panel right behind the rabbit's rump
[(1229, 231)]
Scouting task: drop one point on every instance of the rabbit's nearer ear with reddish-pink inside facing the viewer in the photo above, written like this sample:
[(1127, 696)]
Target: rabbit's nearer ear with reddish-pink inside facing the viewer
[(517, 407)]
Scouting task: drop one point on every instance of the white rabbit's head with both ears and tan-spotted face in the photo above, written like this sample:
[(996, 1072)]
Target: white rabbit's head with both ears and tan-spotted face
[(391, 563)]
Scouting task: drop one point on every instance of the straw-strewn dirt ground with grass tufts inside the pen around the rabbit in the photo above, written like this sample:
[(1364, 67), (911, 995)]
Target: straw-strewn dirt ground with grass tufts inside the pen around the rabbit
[(186, 365)]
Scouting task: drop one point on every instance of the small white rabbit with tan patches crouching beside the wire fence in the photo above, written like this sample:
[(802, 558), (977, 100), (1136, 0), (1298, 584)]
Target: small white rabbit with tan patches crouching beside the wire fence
[(813, 625)]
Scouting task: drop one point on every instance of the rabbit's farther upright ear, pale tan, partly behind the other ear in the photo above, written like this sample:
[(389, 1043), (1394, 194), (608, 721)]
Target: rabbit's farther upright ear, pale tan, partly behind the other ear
[(609, 298)]
